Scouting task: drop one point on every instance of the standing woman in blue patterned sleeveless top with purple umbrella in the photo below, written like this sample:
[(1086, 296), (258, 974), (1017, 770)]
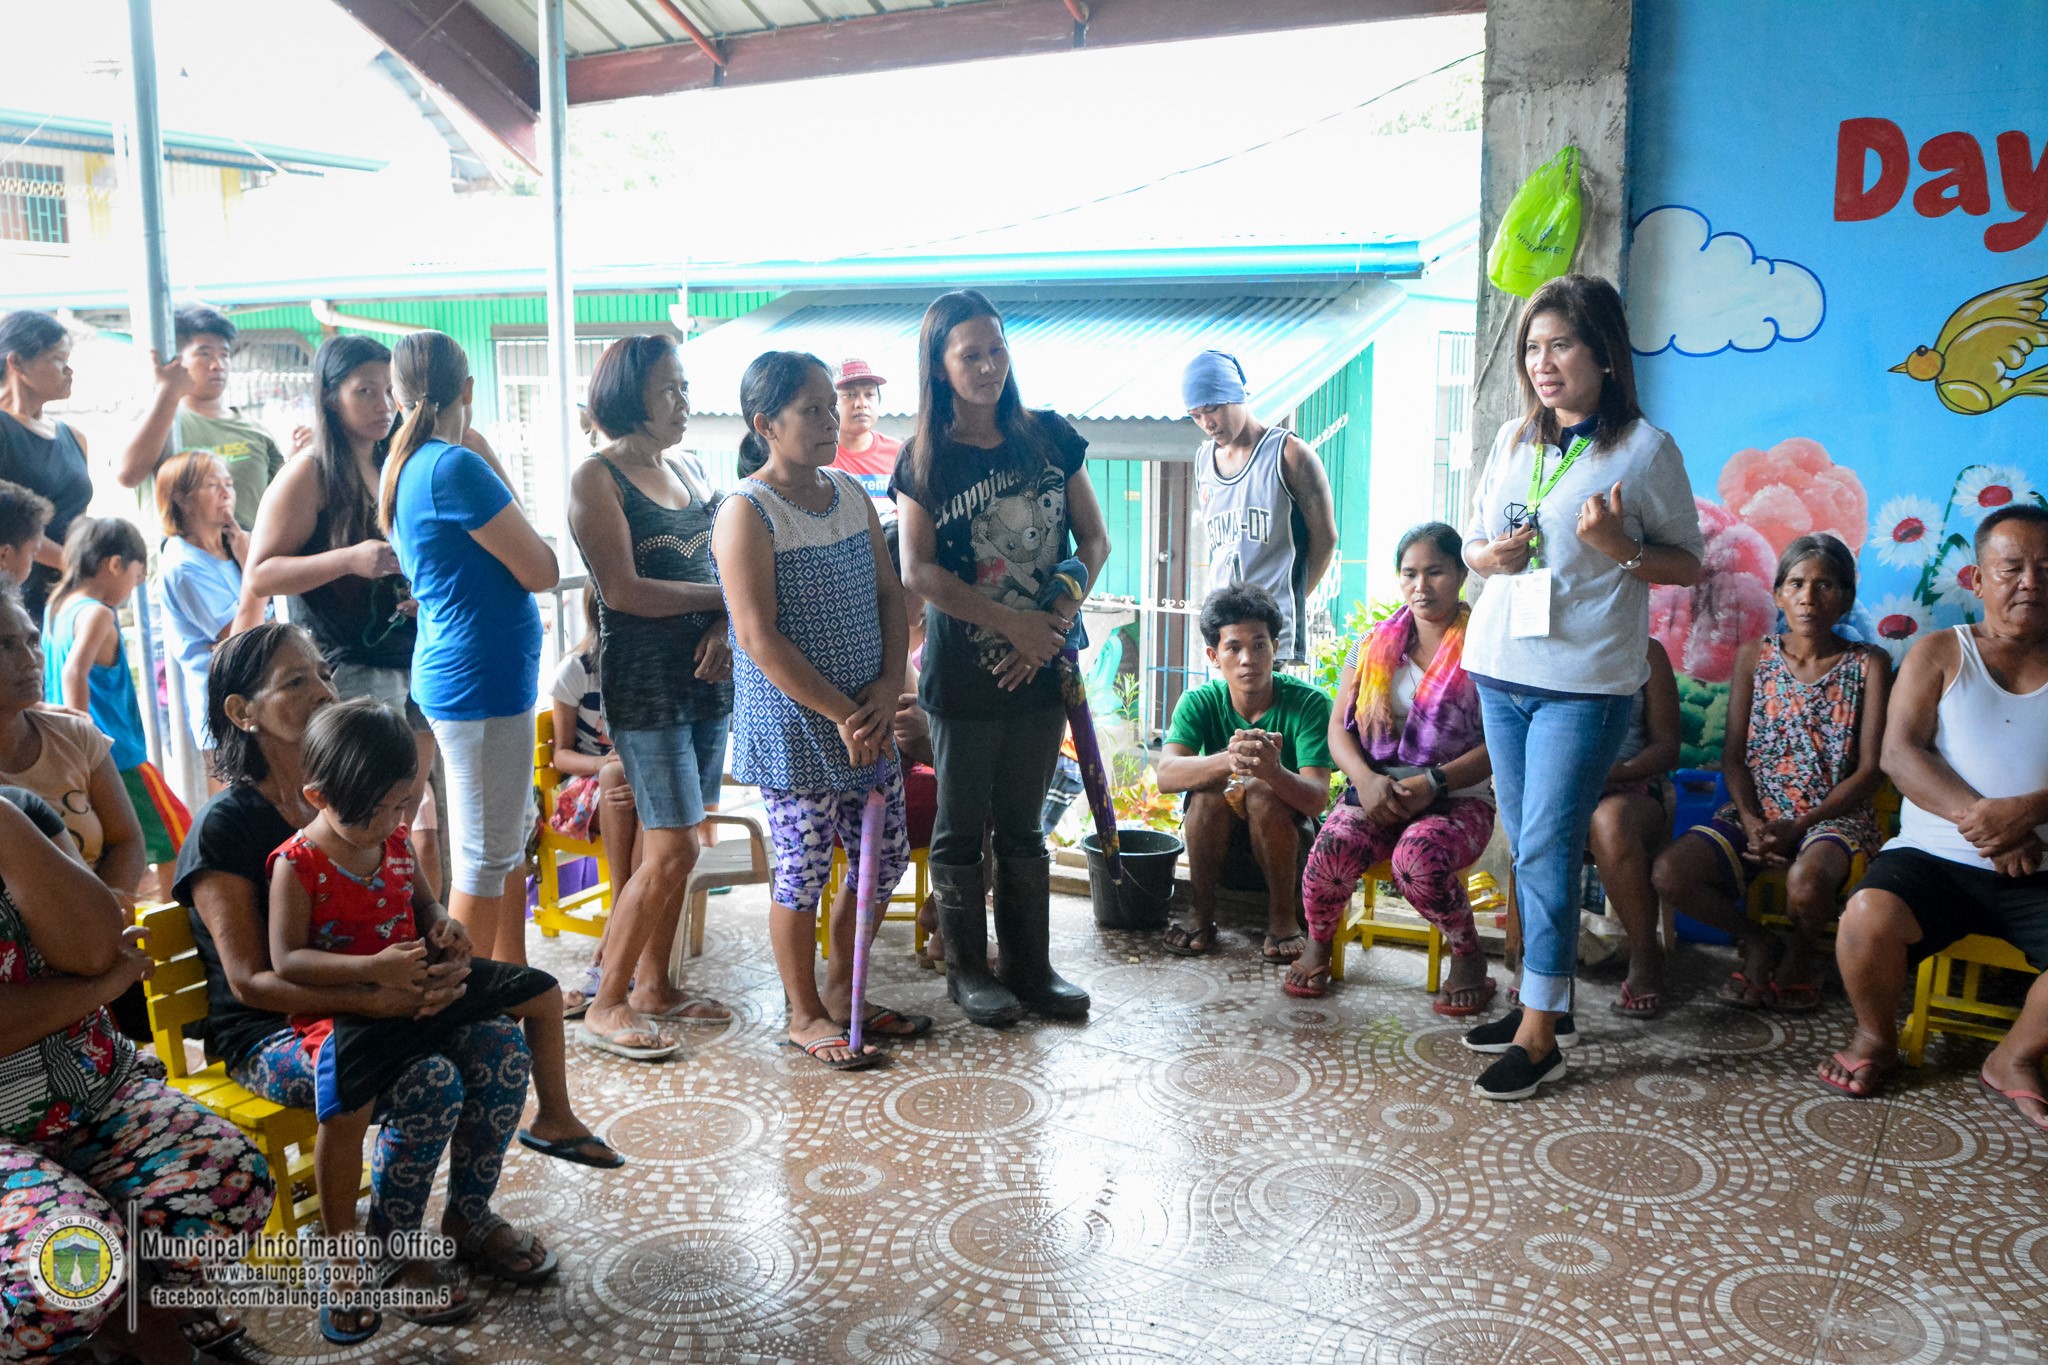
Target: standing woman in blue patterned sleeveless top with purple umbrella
[(818, 664)]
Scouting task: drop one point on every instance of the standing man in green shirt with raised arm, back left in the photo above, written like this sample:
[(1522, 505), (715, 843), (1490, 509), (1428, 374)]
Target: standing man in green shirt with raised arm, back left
[(191, 412)]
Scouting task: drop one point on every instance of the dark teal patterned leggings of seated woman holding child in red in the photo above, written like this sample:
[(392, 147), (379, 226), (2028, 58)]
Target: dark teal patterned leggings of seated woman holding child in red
[(466, 1100)]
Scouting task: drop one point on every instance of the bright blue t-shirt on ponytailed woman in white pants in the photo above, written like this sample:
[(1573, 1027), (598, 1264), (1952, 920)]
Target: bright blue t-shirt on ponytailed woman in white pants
[(480, 631)]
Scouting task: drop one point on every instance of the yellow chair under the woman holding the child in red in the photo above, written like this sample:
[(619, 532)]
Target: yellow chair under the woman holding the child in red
[(177, 996)]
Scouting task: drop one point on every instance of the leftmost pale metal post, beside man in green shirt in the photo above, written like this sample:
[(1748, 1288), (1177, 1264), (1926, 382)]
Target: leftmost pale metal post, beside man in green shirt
[(153, 318)]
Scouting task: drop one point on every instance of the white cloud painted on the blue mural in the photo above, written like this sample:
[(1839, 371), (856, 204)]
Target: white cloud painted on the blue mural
[(1701, 294)]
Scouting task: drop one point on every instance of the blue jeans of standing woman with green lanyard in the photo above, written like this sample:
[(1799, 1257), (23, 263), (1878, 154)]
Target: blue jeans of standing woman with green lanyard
[(1551, 758)]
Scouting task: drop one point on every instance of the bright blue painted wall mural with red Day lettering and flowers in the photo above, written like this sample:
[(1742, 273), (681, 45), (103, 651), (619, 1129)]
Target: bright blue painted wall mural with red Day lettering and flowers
[(1838, 288)]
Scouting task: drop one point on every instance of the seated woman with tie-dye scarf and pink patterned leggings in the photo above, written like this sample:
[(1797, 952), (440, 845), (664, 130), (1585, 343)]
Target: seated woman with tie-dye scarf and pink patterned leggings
[(1408, 736)]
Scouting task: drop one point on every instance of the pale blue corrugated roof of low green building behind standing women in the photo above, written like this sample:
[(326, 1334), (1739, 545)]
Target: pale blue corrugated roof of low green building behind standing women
[(1103, 357)]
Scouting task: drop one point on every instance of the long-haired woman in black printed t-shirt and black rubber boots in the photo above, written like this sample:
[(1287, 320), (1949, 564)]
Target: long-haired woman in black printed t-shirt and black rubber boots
[(994, 502)]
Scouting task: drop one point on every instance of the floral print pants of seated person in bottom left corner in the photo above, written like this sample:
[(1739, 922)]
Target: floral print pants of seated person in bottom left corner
[(191, 1174)]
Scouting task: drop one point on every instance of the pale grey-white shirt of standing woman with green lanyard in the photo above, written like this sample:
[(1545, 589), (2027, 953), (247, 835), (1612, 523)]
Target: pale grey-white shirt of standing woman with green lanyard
[(1601, 615)]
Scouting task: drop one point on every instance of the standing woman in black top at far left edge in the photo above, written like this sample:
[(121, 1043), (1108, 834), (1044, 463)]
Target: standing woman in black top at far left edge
[(42, 453)]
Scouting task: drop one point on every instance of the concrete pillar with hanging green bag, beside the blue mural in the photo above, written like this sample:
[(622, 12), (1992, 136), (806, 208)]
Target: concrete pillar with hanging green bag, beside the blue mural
[(1558, 73)]
